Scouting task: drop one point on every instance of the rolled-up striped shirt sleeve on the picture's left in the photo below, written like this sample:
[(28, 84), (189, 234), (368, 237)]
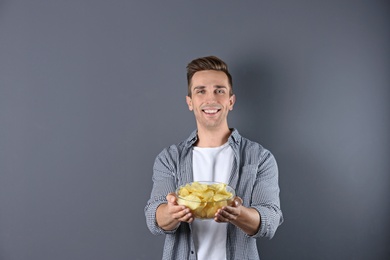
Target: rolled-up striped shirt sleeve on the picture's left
[(164, 172)]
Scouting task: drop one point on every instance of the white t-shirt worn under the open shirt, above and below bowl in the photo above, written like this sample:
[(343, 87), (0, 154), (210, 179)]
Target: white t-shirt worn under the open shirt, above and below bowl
[(211, 164)]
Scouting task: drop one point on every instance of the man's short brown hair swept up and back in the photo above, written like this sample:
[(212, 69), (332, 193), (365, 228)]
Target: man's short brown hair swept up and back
[(207, 63)]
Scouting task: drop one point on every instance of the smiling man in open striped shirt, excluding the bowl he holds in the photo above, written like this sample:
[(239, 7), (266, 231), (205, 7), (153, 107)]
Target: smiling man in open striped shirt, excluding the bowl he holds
[(214, 152)]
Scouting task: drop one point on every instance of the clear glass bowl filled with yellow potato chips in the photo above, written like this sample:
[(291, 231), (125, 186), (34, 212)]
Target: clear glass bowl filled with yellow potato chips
[(204, 198)]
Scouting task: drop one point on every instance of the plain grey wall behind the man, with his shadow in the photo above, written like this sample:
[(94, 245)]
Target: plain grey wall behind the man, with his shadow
[(91, 91)]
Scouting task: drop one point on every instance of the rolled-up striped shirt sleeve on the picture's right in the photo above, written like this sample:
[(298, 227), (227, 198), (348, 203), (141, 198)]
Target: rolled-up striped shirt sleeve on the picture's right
[(265, 196)]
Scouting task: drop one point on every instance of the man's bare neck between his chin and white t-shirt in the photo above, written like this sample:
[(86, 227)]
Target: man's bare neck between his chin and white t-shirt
[(212, 137)]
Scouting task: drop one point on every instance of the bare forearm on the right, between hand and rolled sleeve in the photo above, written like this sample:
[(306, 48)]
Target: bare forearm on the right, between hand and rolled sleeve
[(248, 221)]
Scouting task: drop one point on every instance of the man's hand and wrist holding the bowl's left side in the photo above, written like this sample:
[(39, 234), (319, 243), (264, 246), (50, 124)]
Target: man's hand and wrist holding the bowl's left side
[(169, 215)]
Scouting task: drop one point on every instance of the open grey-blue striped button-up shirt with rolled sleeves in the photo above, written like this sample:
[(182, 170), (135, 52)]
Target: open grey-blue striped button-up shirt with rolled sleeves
[(254, 177)]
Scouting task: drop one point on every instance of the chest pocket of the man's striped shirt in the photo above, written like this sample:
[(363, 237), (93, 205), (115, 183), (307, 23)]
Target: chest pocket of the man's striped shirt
[(246, 183)]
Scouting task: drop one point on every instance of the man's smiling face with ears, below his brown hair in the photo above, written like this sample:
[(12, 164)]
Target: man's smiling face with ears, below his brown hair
[(210, 98)]
